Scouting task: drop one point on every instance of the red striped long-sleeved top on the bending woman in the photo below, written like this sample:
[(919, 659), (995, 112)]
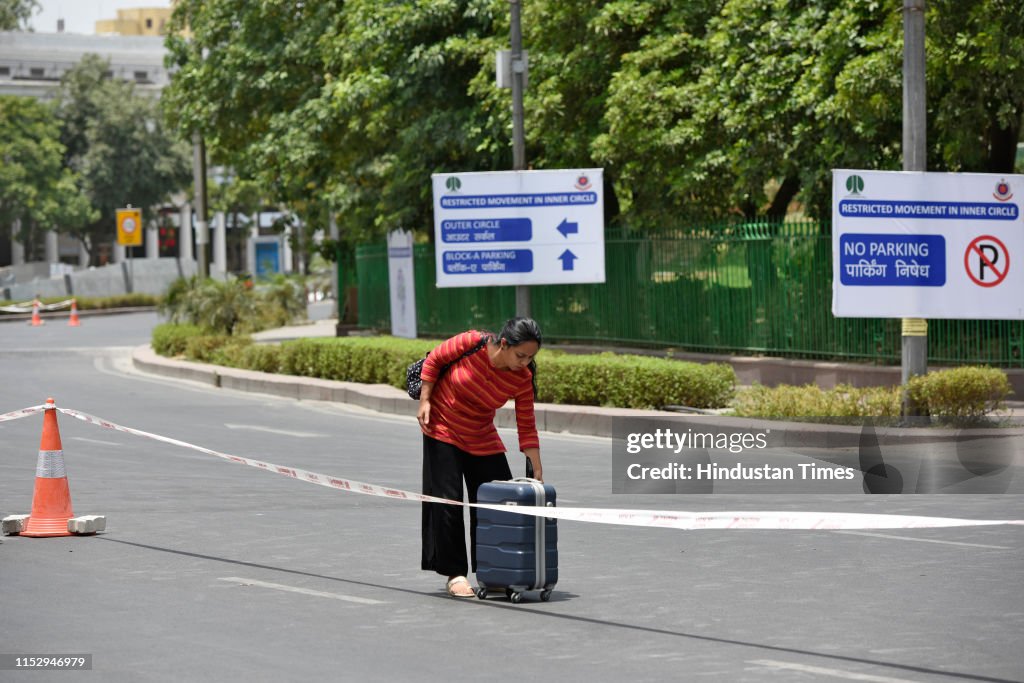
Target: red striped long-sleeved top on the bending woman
[(464, 403)]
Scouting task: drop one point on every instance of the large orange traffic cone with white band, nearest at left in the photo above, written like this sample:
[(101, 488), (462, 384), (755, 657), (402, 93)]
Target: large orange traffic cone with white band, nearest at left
[(52, 501)]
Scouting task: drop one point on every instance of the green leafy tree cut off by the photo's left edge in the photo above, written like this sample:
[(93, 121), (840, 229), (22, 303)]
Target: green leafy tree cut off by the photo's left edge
[(35, 189)]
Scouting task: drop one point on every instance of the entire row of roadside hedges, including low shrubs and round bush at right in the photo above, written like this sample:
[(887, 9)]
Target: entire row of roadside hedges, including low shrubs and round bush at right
[(604, 379)]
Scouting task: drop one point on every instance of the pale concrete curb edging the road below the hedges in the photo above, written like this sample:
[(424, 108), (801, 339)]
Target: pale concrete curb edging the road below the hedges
[(584, 420)]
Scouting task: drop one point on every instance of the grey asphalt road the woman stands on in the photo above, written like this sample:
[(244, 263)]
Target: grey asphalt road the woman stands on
[(217, 572)]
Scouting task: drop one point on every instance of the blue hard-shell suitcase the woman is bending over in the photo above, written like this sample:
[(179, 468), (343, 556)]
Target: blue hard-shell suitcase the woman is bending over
[(516, 553)]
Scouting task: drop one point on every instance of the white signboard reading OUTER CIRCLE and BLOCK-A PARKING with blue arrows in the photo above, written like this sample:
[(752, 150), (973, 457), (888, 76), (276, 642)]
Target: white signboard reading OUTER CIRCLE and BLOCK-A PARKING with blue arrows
[(520, 228)]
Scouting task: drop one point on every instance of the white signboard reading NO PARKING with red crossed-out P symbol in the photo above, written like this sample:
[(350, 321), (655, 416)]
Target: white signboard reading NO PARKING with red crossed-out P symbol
[(928, 245)]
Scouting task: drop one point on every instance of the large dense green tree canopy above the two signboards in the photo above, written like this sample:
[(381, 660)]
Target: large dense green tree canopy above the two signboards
[(697, 111)]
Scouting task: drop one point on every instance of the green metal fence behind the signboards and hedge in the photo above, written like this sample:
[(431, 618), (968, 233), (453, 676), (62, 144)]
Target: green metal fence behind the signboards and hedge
[(763, 289)]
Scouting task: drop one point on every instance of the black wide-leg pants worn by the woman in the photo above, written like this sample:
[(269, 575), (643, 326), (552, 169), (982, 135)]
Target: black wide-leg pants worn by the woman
[(445, 467)]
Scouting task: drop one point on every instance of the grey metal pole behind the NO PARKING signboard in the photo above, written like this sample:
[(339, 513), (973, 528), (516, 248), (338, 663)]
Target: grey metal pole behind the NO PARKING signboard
[(915, 332)]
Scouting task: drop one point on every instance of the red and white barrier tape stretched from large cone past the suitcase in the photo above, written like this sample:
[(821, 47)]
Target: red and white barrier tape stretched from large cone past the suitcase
[(658, 519)]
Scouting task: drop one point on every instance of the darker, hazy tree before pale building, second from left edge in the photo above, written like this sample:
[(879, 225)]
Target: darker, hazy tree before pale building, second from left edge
[(116, 142)]
